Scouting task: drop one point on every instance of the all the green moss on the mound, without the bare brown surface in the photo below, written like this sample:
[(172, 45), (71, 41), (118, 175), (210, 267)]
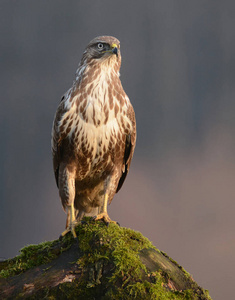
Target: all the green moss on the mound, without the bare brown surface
[(110, 264)]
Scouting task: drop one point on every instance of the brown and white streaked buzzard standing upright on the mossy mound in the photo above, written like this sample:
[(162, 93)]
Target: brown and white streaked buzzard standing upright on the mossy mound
[(93, 134)]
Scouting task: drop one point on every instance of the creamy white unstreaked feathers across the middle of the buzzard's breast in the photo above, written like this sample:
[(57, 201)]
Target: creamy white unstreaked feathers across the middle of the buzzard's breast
[(96, 101)]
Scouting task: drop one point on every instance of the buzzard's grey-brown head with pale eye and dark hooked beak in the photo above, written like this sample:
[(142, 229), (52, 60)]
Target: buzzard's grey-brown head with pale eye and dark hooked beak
[(103, 48)]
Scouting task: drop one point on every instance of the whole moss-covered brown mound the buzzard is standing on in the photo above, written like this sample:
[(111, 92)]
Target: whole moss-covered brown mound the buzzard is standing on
[(106, 262)]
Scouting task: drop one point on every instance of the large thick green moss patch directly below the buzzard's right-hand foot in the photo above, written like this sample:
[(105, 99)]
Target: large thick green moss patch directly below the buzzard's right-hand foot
[(128, 277)]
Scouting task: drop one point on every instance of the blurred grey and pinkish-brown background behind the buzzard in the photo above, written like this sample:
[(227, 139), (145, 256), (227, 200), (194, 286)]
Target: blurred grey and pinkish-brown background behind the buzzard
[(178, 69)]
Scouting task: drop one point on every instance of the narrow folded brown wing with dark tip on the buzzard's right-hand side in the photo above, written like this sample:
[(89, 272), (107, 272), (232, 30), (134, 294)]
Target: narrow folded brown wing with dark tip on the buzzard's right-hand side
[(129, 147)]
